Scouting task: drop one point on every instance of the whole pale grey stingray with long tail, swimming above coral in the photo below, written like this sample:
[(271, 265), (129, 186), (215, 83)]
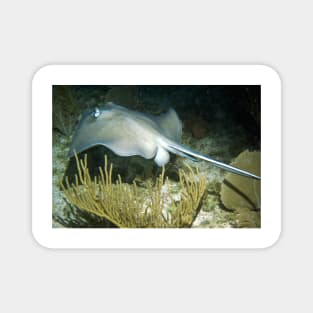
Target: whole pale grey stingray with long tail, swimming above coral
[(127, 132)]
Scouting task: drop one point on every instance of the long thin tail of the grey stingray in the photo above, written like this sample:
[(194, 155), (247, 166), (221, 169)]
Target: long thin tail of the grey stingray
[(185, 151)]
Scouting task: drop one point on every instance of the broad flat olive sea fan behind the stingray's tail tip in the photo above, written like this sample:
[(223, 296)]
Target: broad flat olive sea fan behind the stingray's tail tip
[(242, 194)]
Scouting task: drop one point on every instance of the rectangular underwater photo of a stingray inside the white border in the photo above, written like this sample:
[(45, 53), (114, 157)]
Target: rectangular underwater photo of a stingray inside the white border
[(156, 156)]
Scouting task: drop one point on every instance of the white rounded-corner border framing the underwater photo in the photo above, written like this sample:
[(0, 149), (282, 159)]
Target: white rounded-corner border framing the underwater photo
[(51, 75)]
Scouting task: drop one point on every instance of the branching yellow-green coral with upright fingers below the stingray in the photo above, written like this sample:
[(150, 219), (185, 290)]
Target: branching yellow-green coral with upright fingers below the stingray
[(127, 205)]
